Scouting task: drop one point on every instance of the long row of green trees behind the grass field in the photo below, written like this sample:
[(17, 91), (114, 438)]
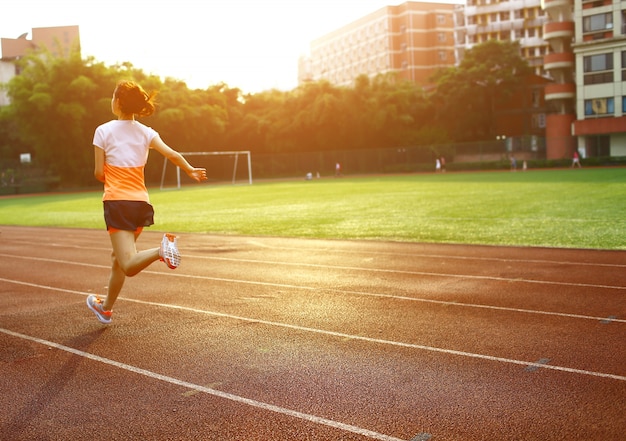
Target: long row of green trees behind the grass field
[(56, 104)]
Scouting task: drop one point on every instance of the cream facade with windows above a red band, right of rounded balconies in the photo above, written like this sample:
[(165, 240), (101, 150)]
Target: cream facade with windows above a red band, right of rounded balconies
[(600, 53)]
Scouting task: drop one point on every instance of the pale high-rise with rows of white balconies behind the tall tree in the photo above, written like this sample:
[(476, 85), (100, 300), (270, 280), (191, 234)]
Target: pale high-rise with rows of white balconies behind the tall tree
[(515, 20)]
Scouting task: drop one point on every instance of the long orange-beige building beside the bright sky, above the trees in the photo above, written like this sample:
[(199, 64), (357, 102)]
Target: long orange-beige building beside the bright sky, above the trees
[(412, 39)]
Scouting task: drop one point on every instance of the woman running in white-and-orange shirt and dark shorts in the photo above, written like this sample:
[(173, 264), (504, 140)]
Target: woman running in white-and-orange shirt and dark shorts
[(121, 150)]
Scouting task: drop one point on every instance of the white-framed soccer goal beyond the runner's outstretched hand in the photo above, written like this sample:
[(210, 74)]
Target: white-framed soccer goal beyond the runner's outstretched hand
[(221, 165)]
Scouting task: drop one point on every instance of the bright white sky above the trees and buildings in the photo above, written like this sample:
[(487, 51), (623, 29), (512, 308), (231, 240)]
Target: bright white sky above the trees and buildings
[(250, 44)]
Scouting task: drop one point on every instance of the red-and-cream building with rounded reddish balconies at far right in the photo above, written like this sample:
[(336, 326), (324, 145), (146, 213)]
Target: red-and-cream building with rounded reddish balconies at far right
[(588, 63)]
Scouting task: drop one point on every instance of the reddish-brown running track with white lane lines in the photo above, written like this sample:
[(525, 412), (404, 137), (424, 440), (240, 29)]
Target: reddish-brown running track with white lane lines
[(286, 339)]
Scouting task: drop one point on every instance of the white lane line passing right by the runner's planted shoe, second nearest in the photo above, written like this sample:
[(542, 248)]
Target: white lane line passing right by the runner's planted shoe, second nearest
[(346, 336)]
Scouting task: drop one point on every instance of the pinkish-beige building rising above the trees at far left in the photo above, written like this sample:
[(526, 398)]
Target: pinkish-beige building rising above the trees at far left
[(59, 40)]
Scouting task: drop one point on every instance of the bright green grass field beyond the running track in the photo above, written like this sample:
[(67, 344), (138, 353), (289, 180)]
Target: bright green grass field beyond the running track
[(555, 208)]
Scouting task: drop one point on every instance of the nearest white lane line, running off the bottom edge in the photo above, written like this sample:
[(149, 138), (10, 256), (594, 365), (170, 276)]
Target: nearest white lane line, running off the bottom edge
[(217, 393)]
